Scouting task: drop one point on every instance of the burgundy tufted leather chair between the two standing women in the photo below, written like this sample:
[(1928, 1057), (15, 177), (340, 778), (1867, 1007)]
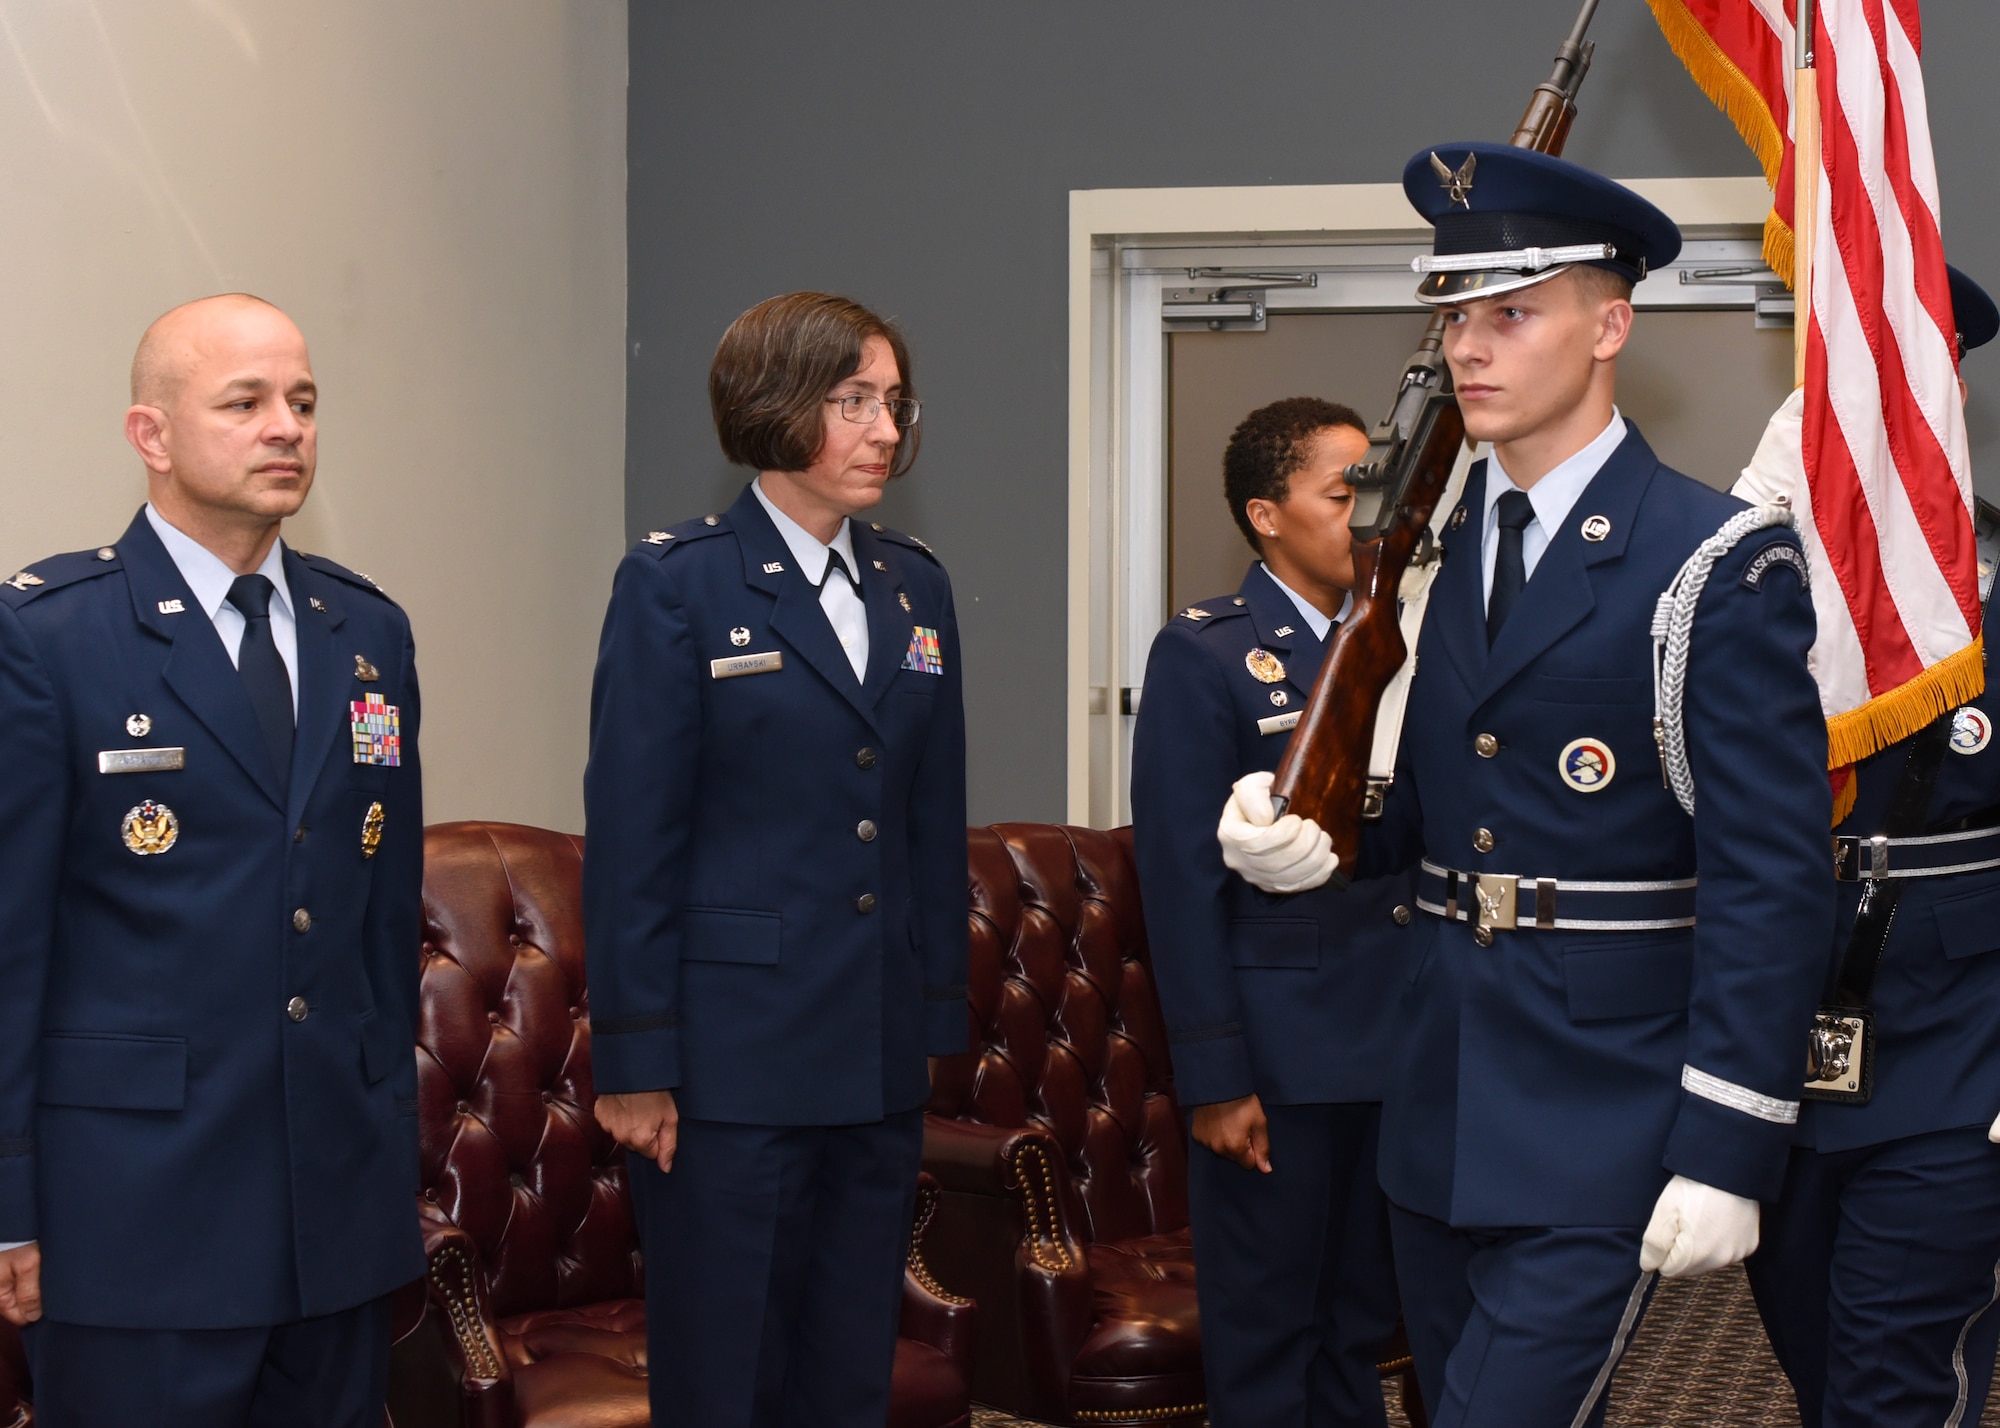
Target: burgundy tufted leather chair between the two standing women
[(1061, 1149)]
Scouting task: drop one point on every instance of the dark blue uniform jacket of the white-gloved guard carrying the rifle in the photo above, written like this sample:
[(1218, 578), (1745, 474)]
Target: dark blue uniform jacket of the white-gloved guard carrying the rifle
[(1545, 1079)]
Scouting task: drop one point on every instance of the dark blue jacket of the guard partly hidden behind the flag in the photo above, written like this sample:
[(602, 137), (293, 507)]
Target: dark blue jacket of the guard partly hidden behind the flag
[(1937, 991)]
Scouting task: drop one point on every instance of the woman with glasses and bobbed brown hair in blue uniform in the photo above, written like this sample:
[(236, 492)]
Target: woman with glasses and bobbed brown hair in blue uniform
[(775, 887)]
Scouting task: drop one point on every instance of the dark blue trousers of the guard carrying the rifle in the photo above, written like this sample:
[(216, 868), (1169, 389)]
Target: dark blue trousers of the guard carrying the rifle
[(1513, 1329)]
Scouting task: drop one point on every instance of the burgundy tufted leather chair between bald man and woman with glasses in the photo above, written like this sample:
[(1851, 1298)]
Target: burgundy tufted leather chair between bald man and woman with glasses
[(535, 1265)]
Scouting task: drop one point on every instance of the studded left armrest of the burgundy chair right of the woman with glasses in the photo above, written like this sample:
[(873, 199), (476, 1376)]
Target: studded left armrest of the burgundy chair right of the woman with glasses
[(1001, 1233)]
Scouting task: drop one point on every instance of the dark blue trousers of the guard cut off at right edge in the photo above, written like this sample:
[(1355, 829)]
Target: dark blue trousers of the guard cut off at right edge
[(1877, 1279)]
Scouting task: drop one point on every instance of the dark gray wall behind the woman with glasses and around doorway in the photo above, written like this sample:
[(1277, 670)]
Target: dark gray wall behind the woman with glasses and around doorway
[(919, 159)]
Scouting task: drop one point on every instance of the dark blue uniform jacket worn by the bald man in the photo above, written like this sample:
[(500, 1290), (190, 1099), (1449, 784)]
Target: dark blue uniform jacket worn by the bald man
[(207, 1051)]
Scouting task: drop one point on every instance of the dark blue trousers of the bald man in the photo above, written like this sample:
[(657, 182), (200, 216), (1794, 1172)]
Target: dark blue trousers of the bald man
[(315, 1373)]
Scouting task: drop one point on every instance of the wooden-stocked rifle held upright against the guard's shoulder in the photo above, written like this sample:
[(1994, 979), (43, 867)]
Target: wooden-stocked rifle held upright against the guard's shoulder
[(1397, 489)]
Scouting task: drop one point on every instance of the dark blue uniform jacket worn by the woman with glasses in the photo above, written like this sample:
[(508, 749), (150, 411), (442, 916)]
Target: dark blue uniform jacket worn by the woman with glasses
[(775, 883)]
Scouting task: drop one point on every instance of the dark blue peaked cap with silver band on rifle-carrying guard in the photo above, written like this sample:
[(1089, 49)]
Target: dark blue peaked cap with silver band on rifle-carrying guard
[(1509, 219)]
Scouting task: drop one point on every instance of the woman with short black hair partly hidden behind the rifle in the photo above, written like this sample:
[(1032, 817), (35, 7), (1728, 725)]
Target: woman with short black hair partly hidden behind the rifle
[(1281, 1011)]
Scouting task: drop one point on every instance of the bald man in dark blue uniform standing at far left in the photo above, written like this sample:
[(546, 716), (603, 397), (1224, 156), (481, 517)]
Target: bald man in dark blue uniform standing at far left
[(211, 829)]
